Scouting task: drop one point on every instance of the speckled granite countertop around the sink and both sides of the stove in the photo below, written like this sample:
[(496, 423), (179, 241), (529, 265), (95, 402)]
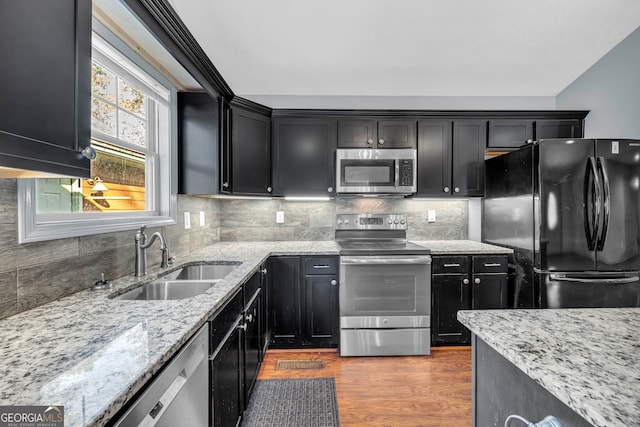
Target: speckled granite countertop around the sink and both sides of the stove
[(91, 353)]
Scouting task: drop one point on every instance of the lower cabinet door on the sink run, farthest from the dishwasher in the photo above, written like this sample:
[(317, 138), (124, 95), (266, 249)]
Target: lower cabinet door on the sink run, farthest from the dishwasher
[(252, 346)]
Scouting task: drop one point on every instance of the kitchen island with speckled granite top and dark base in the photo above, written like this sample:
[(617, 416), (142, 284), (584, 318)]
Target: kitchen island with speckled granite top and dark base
[(587, 359)]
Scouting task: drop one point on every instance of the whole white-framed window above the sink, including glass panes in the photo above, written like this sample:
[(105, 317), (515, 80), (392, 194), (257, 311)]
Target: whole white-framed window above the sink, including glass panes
[(132, 126)]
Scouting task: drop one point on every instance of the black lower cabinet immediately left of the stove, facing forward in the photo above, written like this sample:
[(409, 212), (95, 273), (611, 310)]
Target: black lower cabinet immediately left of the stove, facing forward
[(303, 295)]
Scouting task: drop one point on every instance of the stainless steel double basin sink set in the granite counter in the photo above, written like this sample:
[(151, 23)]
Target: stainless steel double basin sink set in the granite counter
[(185, 282)]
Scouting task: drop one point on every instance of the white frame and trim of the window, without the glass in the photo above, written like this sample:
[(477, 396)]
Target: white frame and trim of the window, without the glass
[(161, 186)]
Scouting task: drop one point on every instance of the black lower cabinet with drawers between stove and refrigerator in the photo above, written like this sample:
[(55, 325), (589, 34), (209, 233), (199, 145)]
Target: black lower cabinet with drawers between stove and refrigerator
[(463, 282)]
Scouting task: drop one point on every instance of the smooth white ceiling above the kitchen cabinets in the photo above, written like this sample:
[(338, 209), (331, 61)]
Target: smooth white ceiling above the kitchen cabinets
[(405, 48)]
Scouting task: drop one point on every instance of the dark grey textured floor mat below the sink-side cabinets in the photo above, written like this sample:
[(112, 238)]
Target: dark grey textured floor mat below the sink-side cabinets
[(308, 402)]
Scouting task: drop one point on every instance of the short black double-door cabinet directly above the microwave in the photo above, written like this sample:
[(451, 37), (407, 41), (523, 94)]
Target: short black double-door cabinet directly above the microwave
[(389, 133)]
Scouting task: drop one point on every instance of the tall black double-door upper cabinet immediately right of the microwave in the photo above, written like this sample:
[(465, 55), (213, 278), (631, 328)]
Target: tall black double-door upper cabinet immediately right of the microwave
[(451, 157)]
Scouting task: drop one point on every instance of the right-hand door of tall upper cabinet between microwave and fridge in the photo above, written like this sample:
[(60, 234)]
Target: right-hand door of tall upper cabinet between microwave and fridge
[(469, 142)]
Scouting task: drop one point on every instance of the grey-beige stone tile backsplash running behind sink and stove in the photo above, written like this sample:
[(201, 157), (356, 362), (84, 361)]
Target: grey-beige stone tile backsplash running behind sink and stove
[(36, 273)]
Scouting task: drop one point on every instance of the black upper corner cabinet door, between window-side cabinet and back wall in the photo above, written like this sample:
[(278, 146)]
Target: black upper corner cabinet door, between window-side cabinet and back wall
[(250, 153)]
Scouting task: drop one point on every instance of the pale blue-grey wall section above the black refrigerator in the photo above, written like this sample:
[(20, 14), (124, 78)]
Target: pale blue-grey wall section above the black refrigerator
[(611, 90)]
